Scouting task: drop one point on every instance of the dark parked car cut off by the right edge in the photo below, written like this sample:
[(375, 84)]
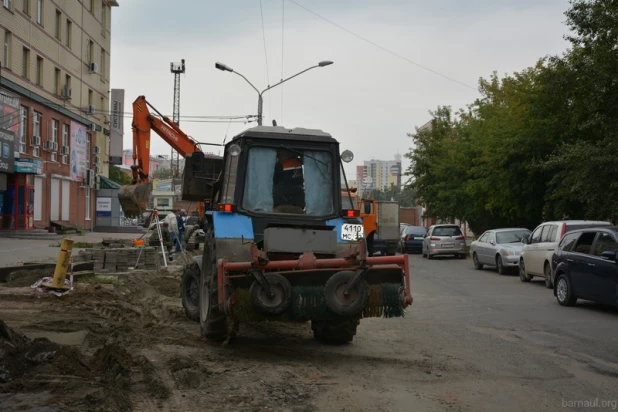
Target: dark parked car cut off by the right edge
[(585, 266)]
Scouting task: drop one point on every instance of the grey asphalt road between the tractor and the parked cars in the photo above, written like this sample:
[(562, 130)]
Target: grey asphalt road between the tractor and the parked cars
[(506, 345)]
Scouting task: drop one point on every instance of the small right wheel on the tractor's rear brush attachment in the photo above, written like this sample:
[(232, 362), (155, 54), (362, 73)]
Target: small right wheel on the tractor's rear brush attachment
[(350, 305)]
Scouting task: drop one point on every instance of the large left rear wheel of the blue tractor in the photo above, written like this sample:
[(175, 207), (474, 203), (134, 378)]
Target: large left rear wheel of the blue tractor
[(213, 321)]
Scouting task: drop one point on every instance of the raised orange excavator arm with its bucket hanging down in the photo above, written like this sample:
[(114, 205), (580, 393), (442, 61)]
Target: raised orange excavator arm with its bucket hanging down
[(134, 198)]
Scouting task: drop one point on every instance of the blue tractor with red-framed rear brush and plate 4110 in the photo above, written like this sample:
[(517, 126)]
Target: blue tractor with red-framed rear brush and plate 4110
[(279, 243)]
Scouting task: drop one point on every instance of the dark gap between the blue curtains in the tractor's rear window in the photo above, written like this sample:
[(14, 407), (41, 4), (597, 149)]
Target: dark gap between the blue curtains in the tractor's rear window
[(288, 181)]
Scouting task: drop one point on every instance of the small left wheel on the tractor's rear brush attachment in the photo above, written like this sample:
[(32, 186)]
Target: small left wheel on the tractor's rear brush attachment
[(282, 294)]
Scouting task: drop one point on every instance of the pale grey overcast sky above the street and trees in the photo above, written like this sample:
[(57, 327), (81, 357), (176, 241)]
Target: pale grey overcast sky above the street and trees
[(368, 99)]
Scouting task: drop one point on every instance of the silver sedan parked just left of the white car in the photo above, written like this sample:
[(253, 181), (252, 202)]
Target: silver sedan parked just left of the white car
[(499, 247)]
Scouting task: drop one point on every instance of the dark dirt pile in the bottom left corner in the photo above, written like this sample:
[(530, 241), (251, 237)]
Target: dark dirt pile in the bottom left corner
[(61, 375)]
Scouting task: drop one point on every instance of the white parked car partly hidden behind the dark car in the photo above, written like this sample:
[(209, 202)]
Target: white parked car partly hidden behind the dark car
[(539, 247)]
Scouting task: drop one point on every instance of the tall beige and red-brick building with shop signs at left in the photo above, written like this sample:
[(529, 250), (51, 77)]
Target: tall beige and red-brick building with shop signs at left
[(54, 105)]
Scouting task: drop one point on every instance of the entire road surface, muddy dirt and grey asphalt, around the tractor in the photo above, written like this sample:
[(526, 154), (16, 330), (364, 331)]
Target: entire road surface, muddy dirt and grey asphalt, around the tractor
[(471, 341)]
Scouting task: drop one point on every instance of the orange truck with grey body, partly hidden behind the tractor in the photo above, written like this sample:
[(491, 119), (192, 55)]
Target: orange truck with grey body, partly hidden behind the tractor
[(380, 222)]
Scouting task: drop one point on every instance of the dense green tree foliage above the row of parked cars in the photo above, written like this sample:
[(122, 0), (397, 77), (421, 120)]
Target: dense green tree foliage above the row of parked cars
[(536, 145)]
